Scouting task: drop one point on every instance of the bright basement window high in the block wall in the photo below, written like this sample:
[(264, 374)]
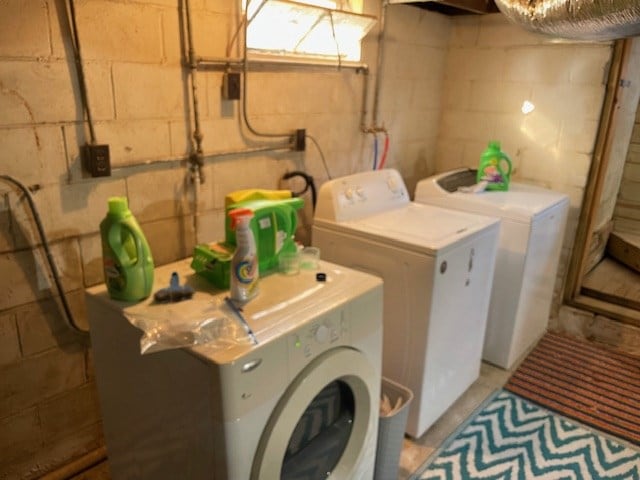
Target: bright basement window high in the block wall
[(327, 29)]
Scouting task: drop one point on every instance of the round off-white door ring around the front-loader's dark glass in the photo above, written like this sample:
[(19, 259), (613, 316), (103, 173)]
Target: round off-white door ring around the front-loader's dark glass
[(349, 368)]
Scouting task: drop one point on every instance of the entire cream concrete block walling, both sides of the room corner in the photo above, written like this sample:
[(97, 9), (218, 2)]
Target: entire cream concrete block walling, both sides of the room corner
[(448, 85)]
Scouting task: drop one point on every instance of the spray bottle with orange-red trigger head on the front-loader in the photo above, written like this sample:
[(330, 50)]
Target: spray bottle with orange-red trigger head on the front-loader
[(244, 264)]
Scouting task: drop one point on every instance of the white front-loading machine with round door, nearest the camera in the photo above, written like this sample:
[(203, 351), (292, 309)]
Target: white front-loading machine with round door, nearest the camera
[(304, 398)]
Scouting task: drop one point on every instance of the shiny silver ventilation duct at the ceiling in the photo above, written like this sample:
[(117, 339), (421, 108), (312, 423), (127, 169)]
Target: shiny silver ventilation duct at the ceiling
[(596, 20)]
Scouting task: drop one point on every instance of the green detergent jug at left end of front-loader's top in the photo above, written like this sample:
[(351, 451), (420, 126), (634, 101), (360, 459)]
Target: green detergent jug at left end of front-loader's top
[(128, 265)]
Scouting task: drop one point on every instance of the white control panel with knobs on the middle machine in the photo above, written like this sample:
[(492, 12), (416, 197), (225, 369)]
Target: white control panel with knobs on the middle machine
[(360, 195)]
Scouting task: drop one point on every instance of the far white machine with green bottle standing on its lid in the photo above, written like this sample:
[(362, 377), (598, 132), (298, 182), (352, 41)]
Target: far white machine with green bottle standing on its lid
[(533, 224)]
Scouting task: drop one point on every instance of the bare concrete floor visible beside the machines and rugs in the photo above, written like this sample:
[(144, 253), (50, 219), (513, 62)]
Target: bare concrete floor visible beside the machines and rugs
[(415, 451)]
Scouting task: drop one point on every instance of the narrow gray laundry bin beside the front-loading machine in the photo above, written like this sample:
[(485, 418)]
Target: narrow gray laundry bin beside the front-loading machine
[(391, 431)]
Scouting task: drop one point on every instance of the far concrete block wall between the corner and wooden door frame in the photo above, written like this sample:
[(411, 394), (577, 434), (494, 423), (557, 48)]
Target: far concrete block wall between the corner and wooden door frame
[(492, 68)]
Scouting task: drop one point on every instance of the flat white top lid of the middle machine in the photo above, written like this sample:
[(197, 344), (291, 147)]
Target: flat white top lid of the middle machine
[(422, 228)]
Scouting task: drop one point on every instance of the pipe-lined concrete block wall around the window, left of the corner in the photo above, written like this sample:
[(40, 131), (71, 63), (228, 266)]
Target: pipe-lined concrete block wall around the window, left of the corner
[(140, 98)]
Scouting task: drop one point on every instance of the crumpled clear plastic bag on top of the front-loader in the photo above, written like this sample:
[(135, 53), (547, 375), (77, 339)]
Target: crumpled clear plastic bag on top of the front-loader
[(169, 328)]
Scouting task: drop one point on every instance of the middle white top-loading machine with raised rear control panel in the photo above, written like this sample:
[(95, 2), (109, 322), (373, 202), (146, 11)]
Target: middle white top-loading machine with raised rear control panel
[(437, 267)]
